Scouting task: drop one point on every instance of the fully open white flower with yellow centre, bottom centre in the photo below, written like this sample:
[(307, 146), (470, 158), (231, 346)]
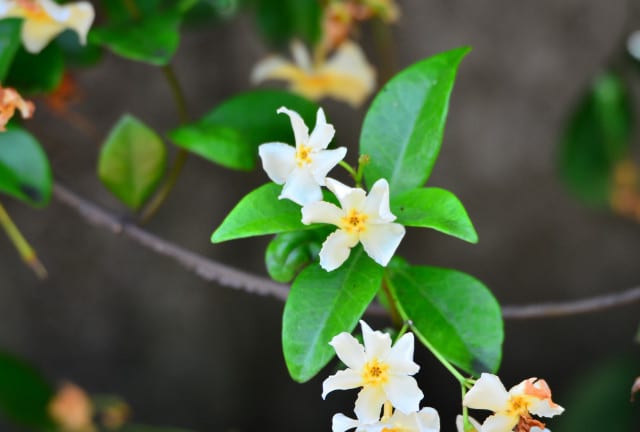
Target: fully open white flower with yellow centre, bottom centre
[(383, 373)]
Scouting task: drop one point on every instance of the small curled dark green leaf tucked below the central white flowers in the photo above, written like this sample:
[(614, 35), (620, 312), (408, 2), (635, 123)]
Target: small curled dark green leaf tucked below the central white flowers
[(289, 252)]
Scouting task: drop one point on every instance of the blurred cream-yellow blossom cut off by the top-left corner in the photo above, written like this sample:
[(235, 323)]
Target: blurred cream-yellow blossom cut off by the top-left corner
[(45, 19)]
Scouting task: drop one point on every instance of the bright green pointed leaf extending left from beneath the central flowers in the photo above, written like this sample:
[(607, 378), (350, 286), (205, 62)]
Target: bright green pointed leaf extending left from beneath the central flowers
[(260, 212)]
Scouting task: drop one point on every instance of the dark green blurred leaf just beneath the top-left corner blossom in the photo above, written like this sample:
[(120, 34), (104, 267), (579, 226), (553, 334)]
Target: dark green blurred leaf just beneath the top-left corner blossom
[(36, 73)]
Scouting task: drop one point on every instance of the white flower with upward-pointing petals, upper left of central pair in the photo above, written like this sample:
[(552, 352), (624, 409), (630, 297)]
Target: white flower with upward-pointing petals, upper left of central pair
[(303, 168)]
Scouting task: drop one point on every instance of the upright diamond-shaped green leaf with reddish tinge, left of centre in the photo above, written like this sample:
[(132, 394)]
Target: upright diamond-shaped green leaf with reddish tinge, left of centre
[(132, 161)]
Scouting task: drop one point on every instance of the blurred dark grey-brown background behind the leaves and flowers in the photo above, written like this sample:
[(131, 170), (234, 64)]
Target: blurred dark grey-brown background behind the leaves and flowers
[(114, 317)]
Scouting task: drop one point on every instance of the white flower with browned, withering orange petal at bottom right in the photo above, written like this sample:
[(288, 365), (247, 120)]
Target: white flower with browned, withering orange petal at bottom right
[(512, 408)]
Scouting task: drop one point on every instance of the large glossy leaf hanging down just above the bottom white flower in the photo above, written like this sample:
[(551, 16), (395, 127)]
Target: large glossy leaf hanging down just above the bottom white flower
[(322, 304)]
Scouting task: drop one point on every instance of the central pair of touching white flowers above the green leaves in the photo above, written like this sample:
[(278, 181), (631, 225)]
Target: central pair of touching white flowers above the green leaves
[(303, 170)]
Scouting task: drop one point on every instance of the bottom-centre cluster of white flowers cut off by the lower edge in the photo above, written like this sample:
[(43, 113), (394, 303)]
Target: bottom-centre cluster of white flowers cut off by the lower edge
[(384, 374)]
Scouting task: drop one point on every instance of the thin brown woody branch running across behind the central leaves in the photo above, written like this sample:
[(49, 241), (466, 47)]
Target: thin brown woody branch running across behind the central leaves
[(213, 271)]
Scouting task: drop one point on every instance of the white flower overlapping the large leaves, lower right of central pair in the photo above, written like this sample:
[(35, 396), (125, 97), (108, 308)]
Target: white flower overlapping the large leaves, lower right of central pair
[(362, 218)]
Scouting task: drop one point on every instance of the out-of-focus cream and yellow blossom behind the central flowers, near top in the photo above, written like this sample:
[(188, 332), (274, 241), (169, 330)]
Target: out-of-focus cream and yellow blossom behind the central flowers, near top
[(344, 76)]
